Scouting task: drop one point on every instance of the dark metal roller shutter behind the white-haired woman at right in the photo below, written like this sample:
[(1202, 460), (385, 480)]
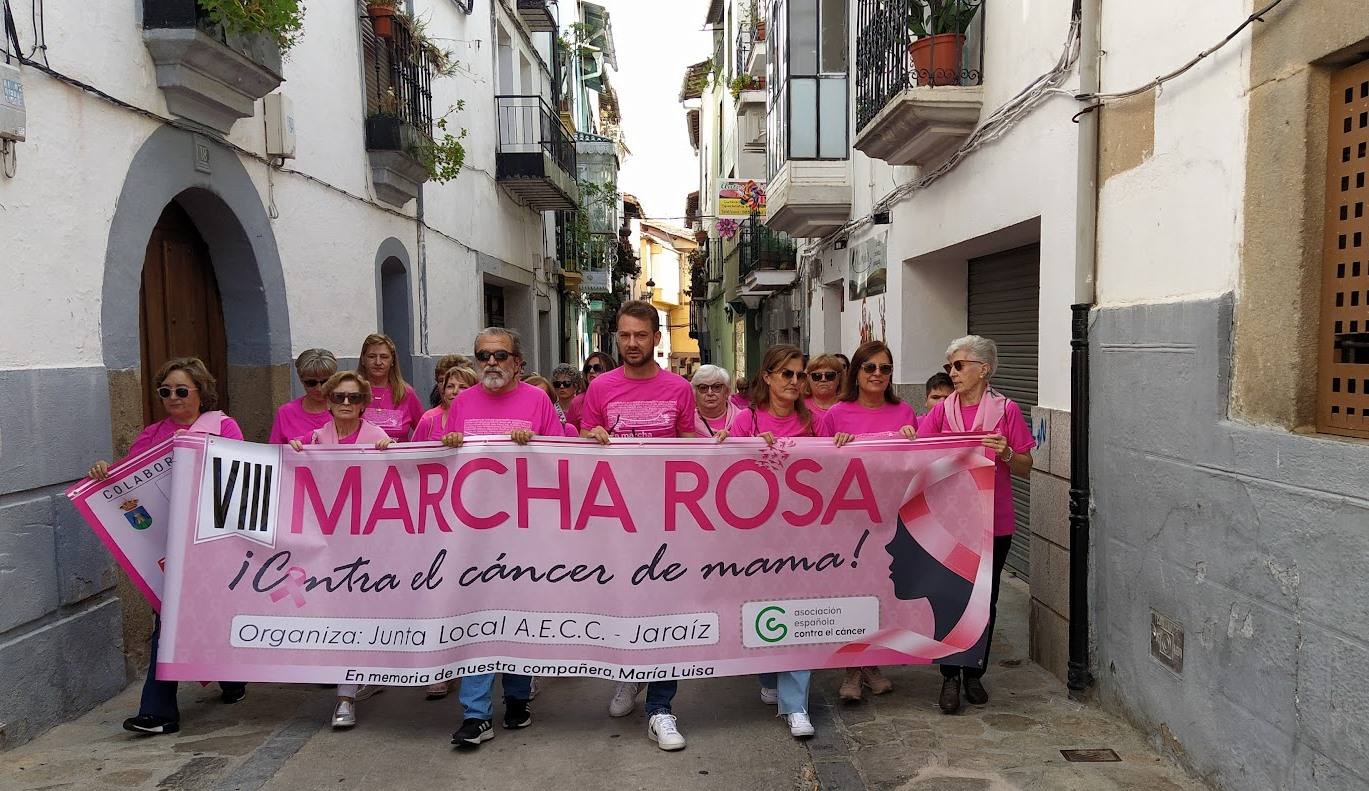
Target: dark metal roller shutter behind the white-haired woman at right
[(1004, 299)]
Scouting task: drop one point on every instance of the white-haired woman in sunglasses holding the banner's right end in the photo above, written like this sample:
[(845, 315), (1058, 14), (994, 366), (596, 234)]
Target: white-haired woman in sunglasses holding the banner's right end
[(975, 406)]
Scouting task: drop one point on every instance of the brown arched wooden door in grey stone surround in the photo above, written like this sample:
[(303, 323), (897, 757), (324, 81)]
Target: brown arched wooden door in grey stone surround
[(180, 313)]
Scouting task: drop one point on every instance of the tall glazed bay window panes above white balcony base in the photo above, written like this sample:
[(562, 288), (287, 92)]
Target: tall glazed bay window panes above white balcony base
[(808, 81)]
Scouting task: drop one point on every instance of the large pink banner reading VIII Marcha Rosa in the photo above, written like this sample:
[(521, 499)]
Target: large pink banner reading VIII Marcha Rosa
[(645, 560)]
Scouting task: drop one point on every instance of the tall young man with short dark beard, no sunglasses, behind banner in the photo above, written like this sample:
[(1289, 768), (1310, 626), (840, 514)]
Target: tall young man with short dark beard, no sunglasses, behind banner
[(641, 400)]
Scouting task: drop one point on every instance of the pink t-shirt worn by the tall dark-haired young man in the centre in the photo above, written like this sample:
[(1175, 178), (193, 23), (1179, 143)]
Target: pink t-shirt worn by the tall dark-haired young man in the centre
[(659, 407)]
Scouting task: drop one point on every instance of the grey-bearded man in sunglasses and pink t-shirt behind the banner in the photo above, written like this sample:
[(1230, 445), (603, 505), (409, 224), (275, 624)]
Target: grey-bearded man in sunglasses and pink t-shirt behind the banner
[(504, 406)]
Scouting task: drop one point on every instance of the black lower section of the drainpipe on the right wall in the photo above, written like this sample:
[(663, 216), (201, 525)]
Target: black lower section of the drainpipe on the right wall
[(1079, 678)]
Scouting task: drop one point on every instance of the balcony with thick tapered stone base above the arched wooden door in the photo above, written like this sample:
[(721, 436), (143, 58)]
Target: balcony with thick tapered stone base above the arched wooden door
[(209, 77)]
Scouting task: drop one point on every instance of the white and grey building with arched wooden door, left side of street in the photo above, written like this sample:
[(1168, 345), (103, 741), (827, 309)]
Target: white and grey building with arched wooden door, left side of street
[(175, 185)]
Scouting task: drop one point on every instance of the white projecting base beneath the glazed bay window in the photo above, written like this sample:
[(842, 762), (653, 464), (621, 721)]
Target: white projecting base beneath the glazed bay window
[(810, 198)]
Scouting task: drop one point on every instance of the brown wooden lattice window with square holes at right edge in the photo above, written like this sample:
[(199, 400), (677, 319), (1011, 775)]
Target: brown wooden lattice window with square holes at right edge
[(1344, 358)]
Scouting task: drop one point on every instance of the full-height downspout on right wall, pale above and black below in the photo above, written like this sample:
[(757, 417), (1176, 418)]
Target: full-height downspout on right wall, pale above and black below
[(1086, 252)]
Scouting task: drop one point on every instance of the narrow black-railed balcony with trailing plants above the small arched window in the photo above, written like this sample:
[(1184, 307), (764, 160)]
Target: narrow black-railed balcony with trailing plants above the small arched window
[(399, 118)]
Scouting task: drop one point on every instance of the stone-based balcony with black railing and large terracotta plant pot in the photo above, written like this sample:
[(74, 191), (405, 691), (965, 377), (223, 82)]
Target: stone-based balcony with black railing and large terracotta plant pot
[(918, 98)]
